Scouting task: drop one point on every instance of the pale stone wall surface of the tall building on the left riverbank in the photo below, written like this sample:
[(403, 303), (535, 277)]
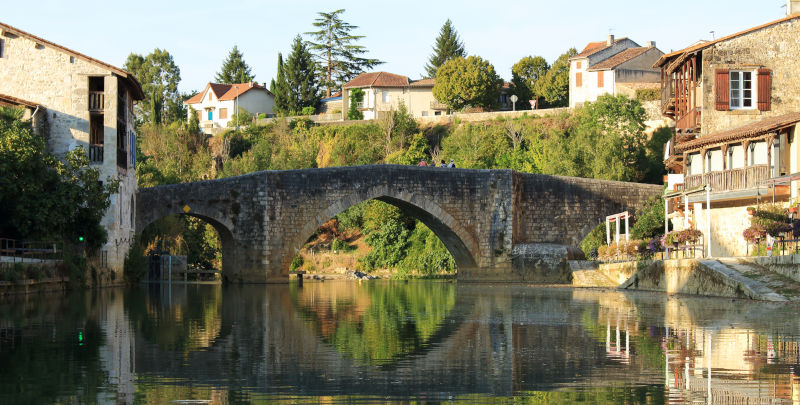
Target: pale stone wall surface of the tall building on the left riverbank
[(59, 81)]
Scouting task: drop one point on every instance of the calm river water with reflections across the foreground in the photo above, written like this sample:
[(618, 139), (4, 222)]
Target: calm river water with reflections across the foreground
[(387, 342)]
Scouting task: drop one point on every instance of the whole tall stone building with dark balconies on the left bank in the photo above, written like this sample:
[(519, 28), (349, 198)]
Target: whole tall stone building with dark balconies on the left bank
[(76, 100)]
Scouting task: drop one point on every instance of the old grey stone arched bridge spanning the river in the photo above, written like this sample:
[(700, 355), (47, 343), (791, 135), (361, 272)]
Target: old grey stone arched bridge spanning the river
[(499, 225)]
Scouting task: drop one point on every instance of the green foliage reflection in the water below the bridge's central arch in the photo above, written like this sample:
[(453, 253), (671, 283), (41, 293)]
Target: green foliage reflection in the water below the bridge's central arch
[(376, 323)]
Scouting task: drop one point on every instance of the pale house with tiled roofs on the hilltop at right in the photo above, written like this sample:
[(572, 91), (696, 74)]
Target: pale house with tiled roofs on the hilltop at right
[(615, 66)]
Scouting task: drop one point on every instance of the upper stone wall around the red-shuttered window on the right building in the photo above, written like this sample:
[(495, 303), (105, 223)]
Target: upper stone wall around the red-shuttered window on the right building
[(775, 48)]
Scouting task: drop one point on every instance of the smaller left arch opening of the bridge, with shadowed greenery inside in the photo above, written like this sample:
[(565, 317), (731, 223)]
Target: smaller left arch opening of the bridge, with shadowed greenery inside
[(203, 241)]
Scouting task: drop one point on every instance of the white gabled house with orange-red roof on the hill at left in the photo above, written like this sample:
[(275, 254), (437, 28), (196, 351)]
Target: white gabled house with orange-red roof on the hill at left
[(217, 103)]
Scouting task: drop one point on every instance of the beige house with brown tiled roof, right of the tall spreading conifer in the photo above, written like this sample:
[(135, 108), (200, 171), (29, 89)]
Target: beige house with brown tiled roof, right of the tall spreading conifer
[(384, 92)]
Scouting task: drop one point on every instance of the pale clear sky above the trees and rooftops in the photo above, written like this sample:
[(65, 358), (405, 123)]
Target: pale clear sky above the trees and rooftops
[(200, 34)]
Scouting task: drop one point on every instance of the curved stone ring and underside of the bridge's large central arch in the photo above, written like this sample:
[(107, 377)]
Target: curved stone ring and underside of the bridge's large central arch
[(462, 244)]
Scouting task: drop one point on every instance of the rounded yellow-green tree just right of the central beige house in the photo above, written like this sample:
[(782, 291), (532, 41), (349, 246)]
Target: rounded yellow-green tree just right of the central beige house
[(470, 81)]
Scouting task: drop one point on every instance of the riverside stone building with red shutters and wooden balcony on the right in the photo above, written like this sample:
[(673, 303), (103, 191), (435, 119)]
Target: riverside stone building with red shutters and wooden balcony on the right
[(736, 103)]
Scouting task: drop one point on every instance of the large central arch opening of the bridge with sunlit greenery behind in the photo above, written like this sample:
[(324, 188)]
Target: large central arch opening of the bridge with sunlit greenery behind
[(409, 237)]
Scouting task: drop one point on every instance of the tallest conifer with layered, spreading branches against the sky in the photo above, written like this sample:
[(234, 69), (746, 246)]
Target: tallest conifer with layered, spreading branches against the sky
[(337, 54)]
